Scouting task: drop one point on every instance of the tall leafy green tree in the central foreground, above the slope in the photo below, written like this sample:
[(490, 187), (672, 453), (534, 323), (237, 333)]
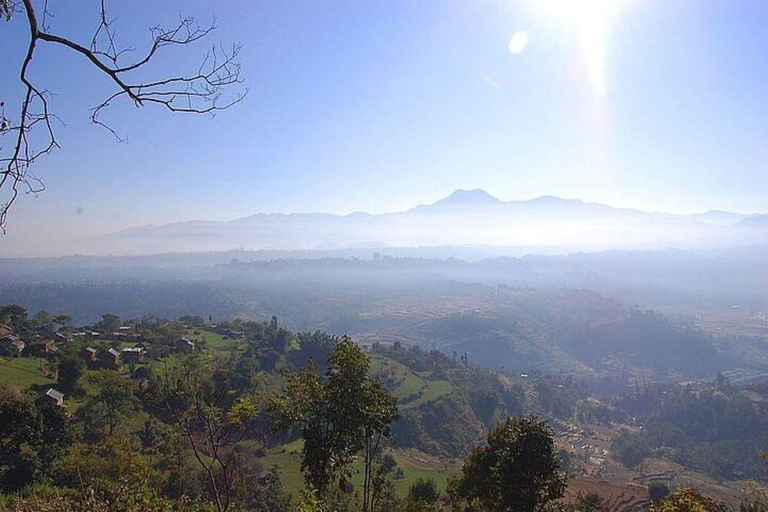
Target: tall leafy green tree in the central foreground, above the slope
[(338, 415)]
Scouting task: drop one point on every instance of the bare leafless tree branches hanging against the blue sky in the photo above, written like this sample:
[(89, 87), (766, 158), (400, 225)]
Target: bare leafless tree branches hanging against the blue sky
[(202, 92)]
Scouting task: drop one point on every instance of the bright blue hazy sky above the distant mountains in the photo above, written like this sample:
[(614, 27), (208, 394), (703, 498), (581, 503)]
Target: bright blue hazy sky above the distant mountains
[(381, 105)]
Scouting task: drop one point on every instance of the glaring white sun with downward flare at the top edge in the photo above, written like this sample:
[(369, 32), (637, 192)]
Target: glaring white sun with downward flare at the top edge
[(590, 19)]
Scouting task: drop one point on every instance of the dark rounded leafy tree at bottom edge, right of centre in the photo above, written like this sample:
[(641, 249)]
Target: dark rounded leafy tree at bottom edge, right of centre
[(519, 469)]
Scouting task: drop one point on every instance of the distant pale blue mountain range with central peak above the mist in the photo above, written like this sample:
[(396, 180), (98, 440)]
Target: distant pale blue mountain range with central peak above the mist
[(466, 217)]
